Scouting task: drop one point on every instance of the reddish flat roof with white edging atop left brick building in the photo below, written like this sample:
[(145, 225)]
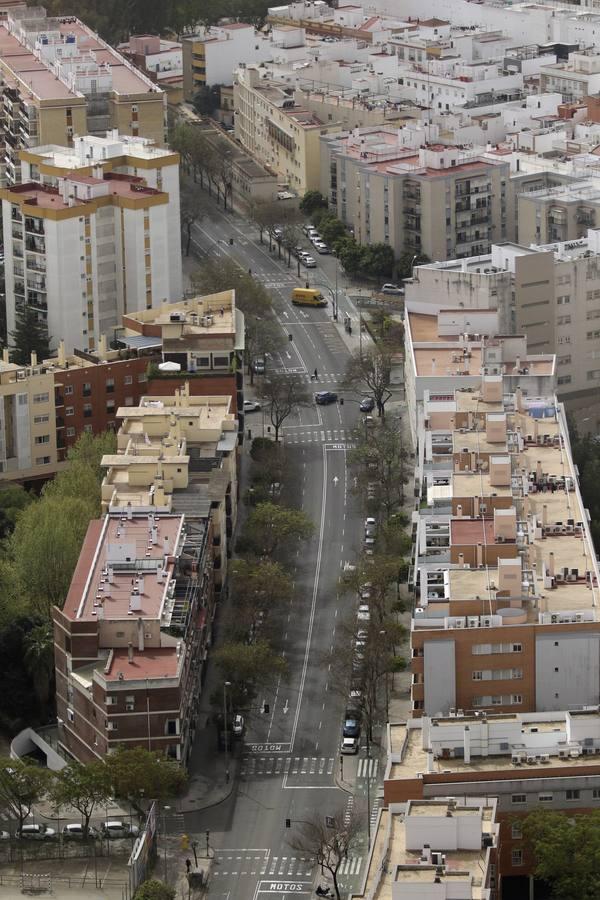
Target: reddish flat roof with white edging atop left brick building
[(123, 548)]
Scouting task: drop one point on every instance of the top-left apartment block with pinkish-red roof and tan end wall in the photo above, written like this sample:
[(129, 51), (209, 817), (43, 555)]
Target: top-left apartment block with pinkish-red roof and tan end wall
[(59, 79)]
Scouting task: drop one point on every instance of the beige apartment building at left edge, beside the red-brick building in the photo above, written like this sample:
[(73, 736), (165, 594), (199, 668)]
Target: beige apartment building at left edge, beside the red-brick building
[(28, 436)]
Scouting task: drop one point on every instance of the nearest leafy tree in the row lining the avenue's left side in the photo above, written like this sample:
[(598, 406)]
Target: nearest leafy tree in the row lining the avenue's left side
[(249, 668)]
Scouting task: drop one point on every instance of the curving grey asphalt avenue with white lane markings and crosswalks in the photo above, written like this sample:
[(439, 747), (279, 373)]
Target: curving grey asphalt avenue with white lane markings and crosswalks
[(291, 756)]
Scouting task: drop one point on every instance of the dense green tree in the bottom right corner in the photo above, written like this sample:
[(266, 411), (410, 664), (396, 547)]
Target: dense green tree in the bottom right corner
[(567, 852)]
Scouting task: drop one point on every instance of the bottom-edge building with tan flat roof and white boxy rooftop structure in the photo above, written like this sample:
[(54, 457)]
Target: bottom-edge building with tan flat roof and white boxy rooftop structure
[(435, 848)]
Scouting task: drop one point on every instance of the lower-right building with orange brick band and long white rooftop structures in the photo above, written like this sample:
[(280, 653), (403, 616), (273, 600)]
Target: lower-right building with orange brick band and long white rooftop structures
[(525, 761)]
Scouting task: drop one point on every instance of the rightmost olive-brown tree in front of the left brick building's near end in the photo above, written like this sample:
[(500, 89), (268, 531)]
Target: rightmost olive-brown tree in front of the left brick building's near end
[(137, 774)]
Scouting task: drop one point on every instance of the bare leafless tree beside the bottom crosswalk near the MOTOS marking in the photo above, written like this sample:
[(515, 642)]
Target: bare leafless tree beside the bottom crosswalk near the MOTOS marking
[(328, 839)]
